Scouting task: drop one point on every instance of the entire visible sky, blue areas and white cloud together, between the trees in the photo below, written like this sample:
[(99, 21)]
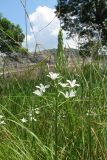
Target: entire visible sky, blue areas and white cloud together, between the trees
[(41, 13)]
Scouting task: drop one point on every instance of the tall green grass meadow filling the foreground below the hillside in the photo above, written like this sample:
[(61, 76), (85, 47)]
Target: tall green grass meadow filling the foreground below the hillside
[(53, 123)]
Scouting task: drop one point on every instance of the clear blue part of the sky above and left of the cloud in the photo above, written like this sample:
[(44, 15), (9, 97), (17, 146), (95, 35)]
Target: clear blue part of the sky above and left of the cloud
[(13, 10)]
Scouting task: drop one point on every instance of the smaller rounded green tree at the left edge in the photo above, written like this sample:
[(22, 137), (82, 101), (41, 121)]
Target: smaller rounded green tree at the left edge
[(11, 36)]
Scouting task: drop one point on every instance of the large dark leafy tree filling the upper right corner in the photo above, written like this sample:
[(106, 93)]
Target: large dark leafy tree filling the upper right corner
[(87, 18)]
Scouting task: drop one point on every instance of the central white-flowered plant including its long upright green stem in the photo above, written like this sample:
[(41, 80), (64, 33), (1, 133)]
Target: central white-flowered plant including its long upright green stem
[(68, 93)]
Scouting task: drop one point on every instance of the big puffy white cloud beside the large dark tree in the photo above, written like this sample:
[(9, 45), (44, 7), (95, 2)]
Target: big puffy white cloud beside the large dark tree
[(48, 36)]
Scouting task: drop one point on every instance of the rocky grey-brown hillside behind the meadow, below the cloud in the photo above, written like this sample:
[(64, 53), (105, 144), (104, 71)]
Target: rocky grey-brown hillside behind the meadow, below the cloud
[(18, 60)]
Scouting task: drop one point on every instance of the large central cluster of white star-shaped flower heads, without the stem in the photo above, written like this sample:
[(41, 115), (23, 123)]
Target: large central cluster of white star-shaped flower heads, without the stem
[(54, 76)]
